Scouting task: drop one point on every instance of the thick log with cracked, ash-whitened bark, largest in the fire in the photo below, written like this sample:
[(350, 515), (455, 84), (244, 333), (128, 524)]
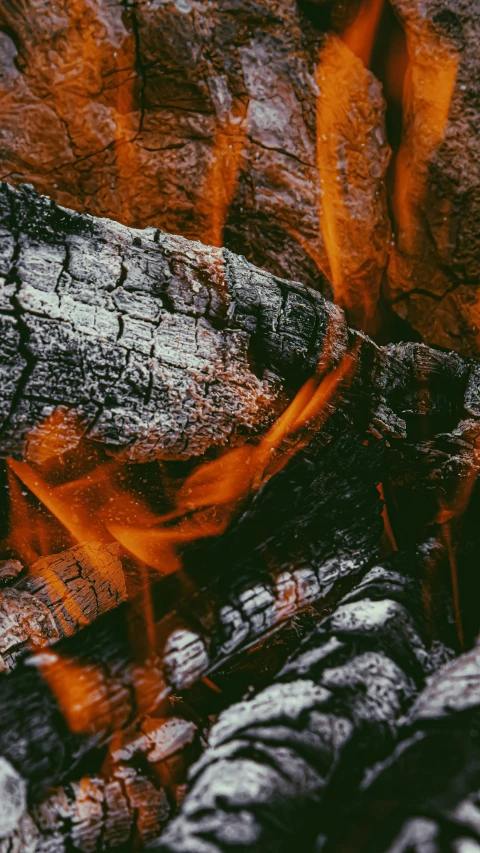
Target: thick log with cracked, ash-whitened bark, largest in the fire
[(161, 347)]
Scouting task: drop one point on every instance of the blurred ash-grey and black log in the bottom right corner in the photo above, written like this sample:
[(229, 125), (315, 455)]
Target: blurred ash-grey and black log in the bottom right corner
[(425, 796)]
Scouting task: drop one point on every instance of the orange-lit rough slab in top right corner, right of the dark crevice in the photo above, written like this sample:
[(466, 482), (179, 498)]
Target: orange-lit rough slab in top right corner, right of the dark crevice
[(435, 265)]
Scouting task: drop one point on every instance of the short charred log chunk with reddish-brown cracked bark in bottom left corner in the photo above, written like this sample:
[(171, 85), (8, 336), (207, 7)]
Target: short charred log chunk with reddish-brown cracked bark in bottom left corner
[(125, 804)]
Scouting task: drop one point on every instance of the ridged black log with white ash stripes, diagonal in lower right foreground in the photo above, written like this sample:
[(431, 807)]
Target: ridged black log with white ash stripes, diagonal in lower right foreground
[(273, 758)]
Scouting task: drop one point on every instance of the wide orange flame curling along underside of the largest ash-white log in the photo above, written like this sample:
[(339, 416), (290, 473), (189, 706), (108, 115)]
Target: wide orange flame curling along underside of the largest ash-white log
[(97, 506)]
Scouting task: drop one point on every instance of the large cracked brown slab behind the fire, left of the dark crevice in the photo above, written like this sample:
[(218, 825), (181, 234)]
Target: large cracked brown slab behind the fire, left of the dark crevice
[(200, 118)]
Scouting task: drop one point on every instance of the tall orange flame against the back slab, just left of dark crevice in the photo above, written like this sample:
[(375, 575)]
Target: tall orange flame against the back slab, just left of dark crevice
[(353, 223)]
